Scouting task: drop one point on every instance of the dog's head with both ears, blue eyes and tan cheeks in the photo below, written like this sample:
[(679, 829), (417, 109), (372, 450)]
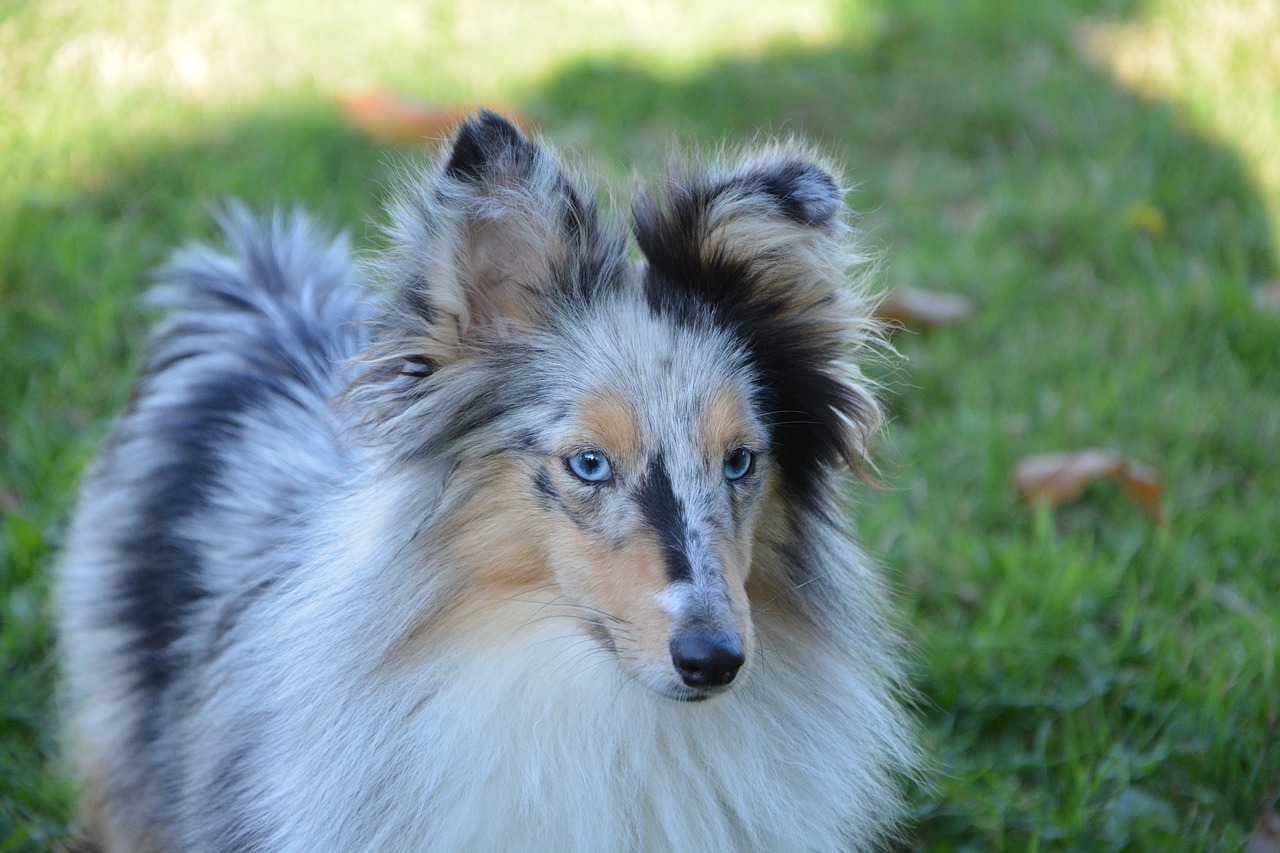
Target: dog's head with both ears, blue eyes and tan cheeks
[(630, 441)]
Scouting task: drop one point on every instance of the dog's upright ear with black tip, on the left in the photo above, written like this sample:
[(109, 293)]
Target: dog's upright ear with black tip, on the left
[(484, 241)]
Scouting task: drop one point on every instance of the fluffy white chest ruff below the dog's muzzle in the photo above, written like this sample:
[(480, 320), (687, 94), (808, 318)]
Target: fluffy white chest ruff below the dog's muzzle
[(524, 736)]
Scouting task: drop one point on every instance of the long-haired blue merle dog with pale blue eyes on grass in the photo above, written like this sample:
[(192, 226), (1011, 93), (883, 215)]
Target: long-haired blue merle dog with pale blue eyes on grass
[(538, 548)]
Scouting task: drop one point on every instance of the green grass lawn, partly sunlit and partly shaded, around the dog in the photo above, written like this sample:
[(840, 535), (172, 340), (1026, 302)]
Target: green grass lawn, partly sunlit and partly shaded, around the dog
[(1101, 179)]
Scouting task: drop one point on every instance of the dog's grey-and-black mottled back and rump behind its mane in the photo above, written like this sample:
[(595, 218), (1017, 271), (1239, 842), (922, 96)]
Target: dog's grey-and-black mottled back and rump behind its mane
[(227, 440)]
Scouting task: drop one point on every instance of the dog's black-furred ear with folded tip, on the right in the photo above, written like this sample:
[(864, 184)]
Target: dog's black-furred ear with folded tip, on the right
[(762, 249)]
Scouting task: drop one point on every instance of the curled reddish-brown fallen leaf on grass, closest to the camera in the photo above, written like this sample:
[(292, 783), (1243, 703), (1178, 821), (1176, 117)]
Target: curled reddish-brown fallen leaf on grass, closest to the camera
[(1060, 478)]
